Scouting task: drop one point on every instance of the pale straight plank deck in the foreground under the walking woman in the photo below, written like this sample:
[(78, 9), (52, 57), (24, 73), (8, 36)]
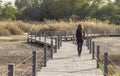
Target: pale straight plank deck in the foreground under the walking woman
[(66, 62)]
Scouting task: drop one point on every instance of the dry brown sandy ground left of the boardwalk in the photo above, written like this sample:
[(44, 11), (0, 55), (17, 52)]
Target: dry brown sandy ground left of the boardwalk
[(17, 51)]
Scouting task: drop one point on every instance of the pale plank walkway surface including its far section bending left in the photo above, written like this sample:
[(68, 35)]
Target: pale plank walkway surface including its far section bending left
[(66, 61)]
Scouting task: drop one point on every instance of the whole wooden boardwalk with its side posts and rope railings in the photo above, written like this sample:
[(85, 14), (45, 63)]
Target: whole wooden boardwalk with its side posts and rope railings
[(64, 58)]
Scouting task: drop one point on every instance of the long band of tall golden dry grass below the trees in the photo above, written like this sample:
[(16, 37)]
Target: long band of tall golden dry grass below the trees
[(18, 27)]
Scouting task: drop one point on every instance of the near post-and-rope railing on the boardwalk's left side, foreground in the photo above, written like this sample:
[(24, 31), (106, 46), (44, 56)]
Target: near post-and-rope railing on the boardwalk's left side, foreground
[(34, 64)]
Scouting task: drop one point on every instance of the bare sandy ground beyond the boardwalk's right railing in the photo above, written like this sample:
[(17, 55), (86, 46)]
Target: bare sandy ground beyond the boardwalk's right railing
[(110, 45)]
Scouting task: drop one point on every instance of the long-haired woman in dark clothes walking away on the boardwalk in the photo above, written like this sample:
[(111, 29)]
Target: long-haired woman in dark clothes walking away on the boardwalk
[(79, 38)]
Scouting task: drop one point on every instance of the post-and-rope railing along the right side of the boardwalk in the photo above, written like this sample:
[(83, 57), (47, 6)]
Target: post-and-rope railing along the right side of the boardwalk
[(107, 59)]
